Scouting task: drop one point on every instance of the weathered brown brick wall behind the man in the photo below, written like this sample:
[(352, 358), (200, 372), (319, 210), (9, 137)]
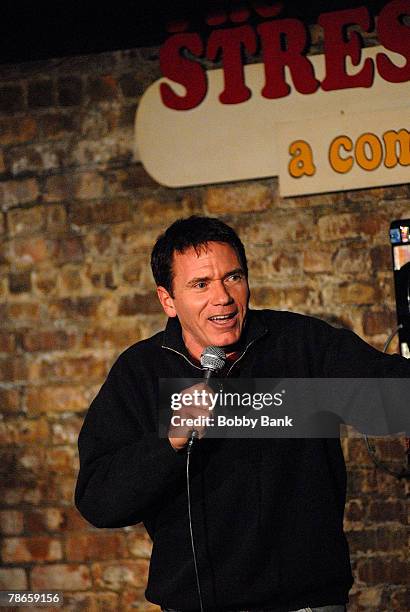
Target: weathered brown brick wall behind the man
[(78, 217)]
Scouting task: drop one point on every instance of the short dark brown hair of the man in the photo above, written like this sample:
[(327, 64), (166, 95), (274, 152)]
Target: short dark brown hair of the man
[(193, 232)]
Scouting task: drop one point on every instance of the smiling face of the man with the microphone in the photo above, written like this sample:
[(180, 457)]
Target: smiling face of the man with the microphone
[(210, 296)]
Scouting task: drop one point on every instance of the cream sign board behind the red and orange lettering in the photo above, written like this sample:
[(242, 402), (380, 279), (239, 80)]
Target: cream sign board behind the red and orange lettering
[(215, 143)]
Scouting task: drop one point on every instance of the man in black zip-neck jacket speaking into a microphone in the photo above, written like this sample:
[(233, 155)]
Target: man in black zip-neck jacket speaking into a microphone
[(267, 515)]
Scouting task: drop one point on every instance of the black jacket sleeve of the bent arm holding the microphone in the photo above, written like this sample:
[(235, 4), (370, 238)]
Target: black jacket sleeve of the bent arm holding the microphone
[(125, 468)]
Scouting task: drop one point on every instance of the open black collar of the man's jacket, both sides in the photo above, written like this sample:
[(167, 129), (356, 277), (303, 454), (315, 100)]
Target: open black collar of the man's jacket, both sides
[(254, 329)]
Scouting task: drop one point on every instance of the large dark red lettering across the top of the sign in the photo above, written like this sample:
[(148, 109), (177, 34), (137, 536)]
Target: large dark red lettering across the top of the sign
[(283, 45)]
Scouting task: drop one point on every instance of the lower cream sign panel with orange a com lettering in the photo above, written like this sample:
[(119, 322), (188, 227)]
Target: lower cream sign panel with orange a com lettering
[(340, 152)]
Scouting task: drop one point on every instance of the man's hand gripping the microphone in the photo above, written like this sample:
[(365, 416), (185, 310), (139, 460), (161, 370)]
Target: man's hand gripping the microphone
[(201, 406)]
